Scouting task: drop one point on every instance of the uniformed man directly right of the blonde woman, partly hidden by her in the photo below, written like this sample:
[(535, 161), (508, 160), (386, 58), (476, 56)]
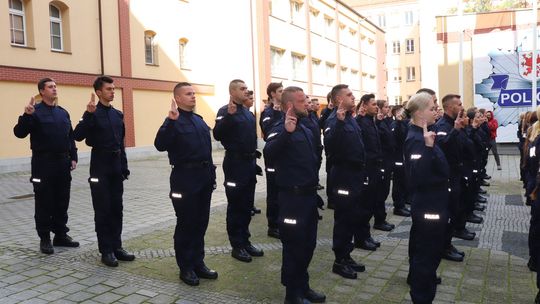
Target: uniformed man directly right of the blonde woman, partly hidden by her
[(449, 139)]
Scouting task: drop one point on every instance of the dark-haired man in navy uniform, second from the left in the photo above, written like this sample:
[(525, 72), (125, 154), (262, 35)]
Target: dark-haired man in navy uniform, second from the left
[(103, 128)]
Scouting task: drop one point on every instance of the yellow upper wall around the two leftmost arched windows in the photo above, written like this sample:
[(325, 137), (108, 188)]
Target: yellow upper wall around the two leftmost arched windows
[(81, 41)]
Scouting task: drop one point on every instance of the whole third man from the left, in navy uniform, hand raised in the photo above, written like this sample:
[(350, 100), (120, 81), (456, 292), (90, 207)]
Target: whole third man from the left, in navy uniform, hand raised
[(186, 138)]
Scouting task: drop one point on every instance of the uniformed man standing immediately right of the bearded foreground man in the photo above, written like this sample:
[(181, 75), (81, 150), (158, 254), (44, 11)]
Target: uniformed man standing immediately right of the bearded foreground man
[(343, 141)]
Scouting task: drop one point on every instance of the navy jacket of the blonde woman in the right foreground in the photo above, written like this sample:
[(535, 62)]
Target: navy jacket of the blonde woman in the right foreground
[(427, 172)]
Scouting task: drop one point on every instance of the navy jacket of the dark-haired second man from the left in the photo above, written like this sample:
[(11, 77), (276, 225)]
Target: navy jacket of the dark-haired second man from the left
[(104, 131)]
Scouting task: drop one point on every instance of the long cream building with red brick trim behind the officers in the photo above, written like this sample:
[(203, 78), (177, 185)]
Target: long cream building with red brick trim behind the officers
[(148, 46)]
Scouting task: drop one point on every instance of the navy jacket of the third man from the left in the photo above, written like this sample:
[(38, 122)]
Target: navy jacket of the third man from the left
[(188, 145)]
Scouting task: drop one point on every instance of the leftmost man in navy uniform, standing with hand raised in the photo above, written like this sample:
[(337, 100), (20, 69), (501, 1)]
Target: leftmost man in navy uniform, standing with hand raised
[(54, 155)]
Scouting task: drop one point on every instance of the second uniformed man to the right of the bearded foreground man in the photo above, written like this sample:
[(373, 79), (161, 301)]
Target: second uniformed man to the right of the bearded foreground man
[(370, 124)]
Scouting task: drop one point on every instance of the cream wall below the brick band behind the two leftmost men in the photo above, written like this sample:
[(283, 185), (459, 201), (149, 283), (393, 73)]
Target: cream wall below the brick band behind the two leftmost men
[(72, 98)]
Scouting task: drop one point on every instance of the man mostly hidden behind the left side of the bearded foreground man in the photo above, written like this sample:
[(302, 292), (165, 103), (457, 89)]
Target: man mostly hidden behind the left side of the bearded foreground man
[(270, 116)]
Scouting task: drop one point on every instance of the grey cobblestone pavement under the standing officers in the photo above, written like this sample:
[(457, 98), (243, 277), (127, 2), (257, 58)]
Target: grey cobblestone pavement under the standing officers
[(494, 270)]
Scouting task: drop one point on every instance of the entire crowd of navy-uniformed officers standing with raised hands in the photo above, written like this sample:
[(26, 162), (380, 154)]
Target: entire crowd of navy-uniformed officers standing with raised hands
[(429, 157)]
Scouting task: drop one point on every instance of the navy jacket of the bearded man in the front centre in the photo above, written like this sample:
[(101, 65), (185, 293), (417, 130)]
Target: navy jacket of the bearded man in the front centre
[(294, 155)]
